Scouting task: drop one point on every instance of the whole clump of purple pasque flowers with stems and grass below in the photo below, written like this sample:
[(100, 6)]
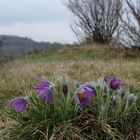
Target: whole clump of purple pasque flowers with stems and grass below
[(55, 107)]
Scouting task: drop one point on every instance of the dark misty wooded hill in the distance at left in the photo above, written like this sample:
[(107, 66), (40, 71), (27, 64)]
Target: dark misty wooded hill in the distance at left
[(14, 46)]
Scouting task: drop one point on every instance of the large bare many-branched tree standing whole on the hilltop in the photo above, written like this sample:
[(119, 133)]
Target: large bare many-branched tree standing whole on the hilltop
[(96, 20)]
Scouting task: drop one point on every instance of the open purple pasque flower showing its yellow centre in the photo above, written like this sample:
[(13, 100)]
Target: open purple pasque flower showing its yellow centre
[(83, 94)]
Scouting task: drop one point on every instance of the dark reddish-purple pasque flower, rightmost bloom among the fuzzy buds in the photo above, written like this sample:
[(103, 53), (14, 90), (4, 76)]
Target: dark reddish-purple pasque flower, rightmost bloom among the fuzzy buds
[(113, 82)]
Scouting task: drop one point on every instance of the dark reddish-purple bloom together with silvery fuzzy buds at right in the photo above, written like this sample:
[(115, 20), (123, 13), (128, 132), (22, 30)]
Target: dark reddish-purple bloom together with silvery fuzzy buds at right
[(120, 95)]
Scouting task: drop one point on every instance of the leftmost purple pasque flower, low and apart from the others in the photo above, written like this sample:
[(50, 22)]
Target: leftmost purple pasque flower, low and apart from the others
[(19, 104)]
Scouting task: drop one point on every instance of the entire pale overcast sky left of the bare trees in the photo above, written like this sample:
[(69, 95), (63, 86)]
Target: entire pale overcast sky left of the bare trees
[(42, 20)]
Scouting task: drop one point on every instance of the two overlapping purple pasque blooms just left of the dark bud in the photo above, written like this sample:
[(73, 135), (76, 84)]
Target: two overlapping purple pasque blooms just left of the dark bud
[(44, 90)]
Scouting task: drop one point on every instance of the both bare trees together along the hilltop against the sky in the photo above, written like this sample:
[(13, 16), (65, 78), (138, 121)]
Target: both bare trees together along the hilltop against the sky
[(106, 21)]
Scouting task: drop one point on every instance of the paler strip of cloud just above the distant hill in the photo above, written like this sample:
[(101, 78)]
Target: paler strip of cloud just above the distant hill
[(43, 31)]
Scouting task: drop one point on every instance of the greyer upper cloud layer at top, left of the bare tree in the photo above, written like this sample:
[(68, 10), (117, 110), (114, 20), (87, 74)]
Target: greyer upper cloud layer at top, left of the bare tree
[(32, 11)]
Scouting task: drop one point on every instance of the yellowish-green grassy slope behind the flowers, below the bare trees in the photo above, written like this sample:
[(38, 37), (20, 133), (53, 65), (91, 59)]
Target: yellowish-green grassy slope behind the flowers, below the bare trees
[(81, 63)]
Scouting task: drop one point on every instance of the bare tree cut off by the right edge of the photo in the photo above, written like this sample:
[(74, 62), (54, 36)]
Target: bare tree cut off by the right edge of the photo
[(131, 36)]
